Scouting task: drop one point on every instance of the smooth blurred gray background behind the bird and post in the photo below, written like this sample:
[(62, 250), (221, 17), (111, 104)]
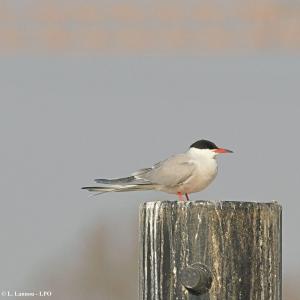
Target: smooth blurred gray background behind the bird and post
[(68, 120)]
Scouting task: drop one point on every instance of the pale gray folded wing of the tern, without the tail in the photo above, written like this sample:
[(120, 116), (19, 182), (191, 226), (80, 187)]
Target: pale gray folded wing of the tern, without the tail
[(170, 172)]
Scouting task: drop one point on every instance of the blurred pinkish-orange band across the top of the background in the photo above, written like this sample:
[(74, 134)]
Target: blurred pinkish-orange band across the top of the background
[(137, 27)]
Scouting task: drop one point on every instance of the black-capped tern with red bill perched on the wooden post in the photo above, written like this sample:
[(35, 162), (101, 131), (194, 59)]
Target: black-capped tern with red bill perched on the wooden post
[(181, 174)]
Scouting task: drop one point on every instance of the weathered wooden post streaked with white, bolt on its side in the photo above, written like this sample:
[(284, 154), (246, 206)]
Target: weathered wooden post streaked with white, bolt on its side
[(210, 250)]
